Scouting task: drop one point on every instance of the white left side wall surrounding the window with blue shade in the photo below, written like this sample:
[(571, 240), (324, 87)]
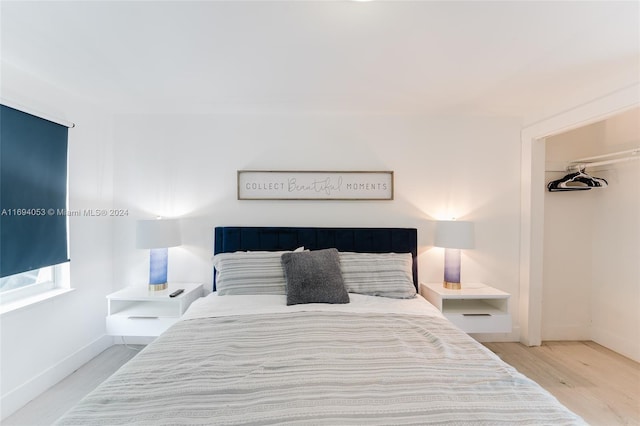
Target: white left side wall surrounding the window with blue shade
[(43, 343)]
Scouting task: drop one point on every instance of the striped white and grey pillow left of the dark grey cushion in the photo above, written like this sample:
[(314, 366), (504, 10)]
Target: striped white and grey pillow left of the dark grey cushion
[(250, 272)]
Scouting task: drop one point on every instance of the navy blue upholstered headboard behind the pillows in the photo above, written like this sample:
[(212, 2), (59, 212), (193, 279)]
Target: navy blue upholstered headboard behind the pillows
[(363, 240)]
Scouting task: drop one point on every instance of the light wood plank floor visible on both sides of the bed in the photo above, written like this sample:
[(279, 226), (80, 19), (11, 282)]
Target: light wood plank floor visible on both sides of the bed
[(596, 383)]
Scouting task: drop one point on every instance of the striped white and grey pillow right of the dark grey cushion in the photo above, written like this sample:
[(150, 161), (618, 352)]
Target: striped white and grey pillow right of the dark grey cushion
[(378, 274)]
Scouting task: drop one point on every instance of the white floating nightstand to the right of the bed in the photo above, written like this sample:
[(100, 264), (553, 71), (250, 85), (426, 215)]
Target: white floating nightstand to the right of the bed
[(476, 308)]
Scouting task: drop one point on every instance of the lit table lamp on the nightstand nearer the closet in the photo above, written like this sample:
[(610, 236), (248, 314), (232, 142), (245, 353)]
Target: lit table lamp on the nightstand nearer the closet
[(453, 235)]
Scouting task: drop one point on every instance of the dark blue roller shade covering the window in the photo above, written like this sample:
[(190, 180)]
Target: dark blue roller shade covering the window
[(33, 192)]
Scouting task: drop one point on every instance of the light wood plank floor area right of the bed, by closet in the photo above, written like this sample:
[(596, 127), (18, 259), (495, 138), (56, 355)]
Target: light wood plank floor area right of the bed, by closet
[(594, 382)]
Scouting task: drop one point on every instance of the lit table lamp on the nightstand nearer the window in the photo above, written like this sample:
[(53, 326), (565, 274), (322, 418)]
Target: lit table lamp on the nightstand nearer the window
[(157, 235)]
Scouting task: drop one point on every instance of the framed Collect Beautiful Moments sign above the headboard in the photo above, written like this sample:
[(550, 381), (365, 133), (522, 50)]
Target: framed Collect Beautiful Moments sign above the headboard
[(314, 185)]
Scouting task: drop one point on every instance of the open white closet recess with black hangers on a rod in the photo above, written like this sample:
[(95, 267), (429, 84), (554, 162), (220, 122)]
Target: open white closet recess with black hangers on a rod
[(591, 272)]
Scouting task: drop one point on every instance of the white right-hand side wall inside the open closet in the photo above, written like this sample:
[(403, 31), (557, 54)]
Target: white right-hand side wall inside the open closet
[(615, 296)]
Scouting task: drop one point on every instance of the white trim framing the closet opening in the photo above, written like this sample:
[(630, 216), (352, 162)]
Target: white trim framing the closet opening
[(532, 188)]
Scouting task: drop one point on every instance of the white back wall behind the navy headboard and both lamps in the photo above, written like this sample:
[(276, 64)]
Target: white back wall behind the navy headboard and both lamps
[(185, 166)]
